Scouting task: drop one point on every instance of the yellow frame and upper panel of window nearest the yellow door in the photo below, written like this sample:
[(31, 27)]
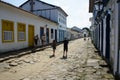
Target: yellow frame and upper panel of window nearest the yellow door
[(21, 27)]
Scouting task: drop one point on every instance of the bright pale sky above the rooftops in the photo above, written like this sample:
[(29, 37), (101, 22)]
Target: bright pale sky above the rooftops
[(77, 10)]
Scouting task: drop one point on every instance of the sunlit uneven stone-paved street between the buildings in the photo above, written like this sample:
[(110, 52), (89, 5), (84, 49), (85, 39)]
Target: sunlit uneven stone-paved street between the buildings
[(83, 63)]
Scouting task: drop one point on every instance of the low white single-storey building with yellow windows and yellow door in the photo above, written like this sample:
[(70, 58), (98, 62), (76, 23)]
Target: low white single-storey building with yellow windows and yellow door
[(18, 28)]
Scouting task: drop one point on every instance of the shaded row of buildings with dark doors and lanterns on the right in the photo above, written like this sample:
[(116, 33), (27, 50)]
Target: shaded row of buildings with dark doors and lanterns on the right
[(106, 28)]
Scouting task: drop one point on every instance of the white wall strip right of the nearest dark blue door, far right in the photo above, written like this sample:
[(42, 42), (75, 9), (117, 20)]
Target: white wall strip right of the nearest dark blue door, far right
[(113, 34)]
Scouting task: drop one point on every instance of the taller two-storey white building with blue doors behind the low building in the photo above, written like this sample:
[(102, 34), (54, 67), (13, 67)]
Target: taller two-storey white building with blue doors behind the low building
[(50, 12)]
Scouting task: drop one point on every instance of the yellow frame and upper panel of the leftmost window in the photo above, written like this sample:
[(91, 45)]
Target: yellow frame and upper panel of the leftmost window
[(7, 26)]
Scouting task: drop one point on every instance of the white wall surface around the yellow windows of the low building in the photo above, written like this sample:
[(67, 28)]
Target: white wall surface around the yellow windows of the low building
[(16, 15)]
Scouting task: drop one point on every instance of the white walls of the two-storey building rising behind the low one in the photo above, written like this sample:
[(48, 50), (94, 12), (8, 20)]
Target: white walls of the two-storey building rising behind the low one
[(52, 14)]
